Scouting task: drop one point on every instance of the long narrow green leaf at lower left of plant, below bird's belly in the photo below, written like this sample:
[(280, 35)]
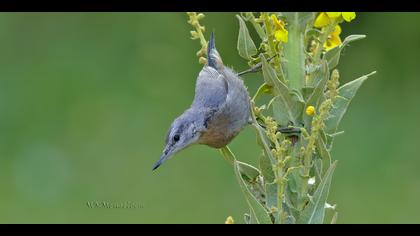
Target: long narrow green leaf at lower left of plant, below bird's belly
[(257, 210)]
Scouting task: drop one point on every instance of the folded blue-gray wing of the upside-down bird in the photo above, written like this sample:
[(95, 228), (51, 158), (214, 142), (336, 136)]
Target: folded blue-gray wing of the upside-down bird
[(211, 89)]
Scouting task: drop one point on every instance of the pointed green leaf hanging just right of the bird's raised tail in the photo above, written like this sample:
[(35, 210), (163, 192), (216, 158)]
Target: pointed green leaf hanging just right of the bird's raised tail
[(245, 46)]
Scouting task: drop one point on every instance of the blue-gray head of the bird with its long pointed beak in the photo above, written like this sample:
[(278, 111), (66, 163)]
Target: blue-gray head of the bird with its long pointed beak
[(182, 133)]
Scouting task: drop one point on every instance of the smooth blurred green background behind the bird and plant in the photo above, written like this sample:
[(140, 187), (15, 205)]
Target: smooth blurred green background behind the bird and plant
[(86, 100)]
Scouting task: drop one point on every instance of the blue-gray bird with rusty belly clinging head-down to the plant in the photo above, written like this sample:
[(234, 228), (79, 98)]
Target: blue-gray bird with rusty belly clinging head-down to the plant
[(220, 110)]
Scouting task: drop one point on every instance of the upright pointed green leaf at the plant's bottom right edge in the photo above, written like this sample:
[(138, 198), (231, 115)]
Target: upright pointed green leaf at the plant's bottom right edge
[(314, 212)]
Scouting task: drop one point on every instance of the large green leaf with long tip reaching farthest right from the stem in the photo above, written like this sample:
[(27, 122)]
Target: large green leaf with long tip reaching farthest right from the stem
[(346, 94)]
